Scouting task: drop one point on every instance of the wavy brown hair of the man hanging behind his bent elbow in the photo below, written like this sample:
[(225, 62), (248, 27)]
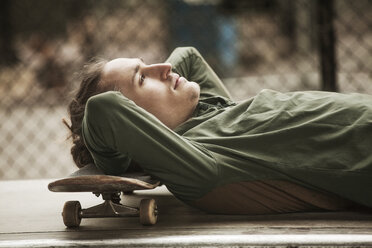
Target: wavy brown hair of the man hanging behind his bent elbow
[(90, 85)]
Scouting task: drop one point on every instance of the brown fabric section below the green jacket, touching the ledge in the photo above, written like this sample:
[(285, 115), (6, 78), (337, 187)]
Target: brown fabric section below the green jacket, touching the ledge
[(269, 197)]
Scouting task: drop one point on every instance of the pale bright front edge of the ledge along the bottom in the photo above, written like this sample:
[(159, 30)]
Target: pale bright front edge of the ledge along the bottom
[(328, 240)]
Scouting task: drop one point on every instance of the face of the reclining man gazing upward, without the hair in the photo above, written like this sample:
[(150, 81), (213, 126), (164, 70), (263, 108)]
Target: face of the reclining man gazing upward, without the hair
[(155, 88)]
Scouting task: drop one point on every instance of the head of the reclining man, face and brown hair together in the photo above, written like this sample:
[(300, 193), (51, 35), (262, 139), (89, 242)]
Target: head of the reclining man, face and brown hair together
[(155, 88)]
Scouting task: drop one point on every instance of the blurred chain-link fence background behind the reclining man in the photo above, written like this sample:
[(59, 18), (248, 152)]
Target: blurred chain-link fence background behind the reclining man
[(284, 45)]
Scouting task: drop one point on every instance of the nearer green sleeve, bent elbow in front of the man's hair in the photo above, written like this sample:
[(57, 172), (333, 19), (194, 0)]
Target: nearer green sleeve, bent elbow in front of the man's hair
[(116, 130)]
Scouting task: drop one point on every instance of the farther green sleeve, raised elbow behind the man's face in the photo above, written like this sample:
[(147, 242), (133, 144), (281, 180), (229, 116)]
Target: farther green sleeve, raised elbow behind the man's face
[(188, 62)]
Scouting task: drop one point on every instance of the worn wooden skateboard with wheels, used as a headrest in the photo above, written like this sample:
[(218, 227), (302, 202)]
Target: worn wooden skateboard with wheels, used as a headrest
[(111, 188)]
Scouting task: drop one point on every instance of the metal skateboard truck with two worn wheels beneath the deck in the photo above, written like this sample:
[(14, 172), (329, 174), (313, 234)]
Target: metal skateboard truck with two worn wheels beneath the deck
[(73, 213)]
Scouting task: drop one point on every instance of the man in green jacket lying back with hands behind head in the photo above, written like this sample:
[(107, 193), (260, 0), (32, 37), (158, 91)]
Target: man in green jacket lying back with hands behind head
[(273, 153)]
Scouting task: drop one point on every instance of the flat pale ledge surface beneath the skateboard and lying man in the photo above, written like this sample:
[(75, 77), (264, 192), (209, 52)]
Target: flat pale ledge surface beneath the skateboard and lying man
[(30, 216)]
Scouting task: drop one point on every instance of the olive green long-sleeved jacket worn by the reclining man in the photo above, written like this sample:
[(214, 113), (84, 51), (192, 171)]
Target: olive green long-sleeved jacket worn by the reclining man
[(320, 140)]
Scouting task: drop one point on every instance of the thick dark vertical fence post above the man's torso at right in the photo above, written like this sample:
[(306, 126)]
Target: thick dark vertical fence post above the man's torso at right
[(326, 45)]
